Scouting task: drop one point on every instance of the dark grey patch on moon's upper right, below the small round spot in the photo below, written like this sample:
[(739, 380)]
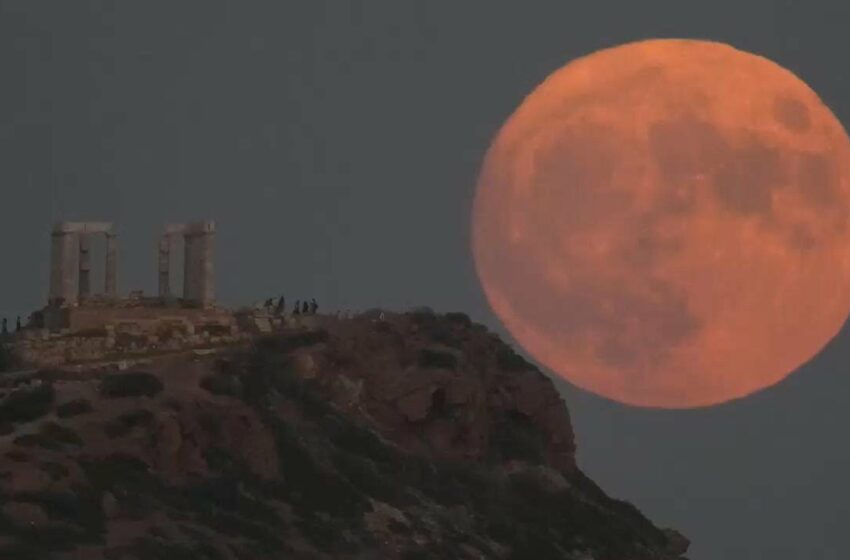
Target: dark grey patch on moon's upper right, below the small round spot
[(748, 178)]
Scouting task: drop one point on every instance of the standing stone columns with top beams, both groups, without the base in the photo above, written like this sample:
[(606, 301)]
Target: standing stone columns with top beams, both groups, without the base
[(70, 270)]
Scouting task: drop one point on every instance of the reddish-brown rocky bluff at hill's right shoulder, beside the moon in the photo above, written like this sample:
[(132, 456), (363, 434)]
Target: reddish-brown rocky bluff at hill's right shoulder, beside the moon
[(455, 400)]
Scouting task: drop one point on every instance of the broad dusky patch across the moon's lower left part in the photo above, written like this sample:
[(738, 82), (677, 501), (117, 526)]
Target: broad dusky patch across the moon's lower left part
[(636, 322)]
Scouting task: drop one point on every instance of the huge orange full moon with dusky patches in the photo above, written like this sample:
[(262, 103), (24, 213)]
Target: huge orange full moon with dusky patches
[(665, 223)]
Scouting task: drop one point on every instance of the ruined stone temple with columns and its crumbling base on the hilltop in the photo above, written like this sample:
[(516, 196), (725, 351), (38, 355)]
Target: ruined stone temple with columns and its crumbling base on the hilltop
[(83, 330)]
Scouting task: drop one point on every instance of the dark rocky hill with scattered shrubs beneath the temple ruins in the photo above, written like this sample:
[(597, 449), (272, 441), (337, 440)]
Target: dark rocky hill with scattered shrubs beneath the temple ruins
[(410, 436)]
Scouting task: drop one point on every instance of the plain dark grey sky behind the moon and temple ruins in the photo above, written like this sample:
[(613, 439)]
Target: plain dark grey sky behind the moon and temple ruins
[(337, 145)]
